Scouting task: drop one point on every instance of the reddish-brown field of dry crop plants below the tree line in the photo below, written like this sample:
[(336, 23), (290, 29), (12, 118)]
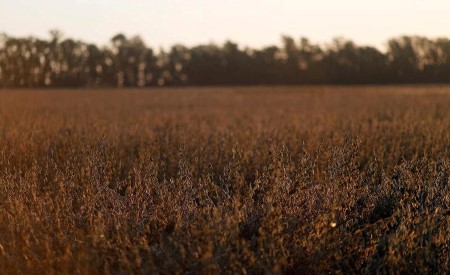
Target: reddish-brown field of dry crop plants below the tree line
[(230, 180)]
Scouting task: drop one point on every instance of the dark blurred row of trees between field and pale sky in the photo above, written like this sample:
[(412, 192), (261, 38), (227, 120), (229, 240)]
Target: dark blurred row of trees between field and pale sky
[(129, 62)]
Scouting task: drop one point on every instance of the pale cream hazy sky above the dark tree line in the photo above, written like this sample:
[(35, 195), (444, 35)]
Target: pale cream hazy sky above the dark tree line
[(254, 23)]
